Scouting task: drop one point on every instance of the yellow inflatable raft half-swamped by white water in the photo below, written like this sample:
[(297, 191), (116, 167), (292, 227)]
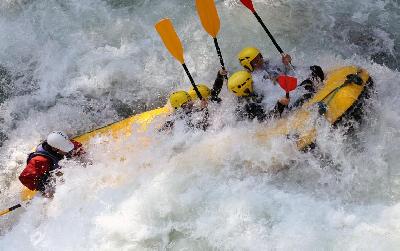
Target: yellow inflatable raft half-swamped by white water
[(341, 93)]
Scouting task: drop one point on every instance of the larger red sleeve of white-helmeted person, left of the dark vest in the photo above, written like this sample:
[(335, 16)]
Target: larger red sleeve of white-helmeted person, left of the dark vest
[(35, 174)]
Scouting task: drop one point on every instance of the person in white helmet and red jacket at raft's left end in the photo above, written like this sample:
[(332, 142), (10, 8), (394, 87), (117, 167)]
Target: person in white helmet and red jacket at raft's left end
[(43, 164)]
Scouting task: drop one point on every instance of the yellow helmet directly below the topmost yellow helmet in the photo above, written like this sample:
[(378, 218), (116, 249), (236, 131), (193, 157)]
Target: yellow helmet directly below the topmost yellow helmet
[(241, 83)]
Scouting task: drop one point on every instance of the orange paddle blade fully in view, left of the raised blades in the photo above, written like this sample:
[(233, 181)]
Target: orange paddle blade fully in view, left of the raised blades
[(167, 32)]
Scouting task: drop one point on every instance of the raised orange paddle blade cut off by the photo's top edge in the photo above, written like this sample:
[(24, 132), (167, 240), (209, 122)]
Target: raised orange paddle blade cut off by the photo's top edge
[(208, 16)]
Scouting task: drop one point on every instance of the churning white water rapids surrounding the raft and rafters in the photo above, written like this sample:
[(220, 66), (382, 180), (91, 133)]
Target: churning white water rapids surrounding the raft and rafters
[(75, 65)]
